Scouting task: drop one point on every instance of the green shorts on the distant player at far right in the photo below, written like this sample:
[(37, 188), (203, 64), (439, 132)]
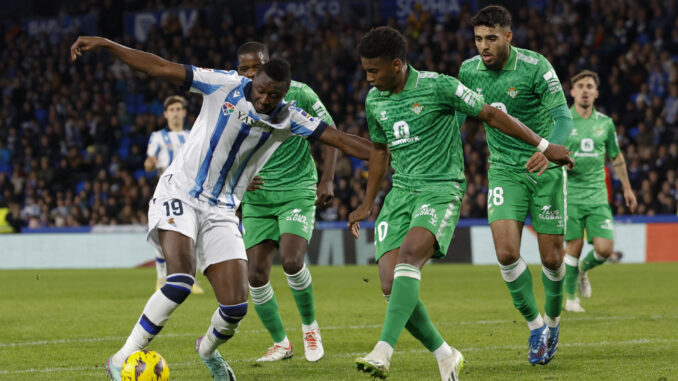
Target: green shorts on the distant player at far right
[(596, 219)]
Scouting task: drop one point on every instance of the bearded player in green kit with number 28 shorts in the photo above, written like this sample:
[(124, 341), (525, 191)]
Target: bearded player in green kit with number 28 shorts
[(523, 84)]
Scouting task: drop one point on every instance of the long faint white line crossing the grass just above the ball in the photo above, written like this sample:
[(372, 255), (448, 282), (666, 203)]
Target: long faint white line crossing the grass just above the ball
[(327, 328)]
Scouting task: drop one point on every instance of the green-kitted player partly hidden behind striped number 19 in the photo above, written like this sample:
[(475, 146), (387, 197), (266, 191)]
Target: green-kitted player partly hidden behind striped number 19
[(278, 211)]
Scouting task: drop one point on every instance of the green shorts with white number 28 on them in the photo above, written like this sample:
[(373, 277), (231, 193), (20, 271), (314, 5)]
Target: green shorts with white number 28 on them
[(512, 195)]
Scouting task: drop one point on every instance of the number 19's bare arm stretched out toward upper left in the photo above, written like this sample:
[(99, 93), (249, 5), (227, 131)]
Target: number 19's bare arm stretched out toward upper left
[(136, 59)]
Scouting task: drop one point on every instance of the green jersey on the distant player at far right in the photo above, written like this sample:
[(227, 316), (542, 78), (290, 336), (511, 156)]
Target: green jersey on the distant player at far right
[(590, 140)]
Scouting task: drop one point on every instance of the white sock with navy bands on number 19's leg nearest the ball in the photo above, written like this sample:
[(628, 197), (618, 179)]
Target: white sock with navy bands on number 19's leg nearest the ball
[(156, 313)]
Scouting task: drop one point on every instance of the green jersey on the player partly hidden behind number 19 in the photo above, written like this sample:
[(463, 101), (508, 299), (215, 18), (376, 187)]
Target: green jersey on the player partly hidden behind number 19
[(291, 167)]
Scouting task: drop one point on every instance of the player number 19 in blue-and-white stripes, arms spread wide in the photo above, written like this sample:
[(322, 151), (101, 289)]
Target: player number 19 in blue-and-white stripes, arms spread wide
[(192, 212)]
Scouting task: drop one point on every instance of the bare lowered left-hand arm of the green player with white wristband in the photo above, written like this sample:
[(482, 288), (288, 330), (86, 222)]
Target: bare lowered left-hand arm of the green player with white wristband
[(377, 170)]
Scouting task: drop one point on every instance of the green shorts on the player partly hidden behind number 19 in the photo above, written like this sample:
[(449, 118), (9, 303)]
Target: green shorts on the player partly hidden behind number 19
[(273, 213)]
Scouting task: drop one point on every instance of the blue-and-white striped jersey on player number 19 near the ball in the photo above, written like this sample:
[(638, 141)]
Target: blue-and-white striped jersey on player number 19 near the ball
[(230, 141)]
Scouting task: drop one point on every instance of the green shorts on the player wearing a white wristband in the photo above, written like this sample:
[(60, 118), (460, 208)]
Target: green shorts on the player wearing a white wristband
[(438, 212)]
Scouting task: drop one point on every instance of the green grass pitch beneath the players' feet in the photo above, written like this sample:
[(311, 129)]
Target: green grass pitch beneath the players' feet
[(63, 325)]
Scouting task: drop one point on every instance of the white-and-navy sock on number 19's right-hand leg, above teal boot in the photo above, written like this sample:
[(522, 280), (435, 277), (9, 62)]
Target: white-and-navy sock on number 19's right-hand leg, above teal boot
[(225, 322)]
